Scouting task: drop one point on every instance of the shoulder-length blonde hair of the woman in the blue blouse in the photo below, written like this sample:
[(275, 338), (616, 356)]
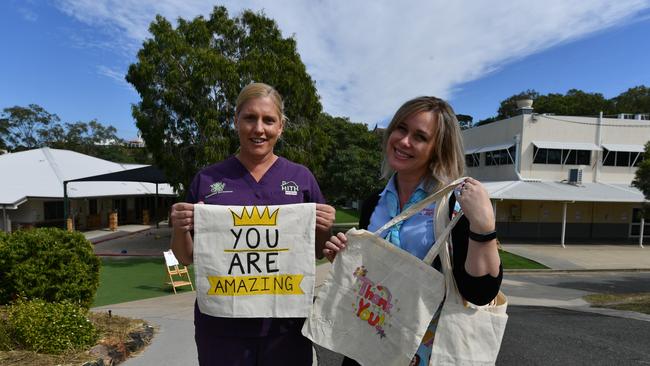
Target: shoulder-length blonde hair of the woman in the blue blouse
[(447, 161)]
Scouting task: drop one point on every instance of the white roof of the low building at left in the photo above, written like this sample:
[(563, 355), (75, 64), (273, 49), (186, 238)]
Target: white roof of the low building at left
[(41, 172)]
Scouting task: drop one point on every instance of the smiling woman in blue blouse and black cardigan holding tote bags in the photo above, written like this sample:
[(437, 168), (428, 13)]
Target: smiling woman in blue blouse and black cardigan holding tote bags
[(422, 153)]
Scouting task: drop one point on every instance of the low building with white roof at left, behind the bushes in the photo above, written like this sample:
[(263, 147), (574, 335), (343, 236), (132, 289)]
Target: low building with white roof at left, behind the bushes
[(32, 191)]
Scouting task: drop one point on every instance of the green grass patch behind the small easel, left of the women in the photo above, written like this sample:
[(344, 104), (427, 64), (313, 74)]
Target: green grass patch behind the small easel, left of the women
[(128, 279)]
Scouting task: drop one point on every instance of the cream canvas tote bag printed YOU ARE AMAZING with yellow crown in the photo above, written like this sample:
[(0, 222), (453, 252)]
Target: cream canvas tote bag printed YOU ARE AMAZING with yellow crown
[(255, 261)]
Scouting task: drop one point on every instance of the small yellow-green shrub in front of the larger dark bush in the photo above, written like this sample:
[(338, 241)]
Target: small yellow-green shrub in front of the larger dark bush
[(47, 327)]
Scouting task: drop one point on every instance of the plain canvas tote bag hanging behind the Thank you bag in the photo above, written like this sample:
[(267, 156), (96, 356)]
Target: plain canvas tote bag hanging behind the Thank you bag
[(467, 334)]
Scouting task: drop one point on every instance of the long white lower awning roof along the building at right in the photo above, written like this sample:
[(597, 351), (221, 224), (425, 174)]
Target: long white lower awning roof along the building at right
[(557, 191)]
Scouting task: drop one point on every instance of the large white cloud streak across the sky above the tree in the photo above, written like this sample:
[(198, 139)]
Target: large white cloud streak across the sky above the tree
[(367, 57)]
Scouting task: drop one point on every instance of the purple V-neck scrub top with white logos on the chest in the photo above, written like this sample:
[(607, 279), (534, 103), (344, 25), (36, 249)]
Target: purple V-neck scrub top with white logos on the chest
[(230, 183)]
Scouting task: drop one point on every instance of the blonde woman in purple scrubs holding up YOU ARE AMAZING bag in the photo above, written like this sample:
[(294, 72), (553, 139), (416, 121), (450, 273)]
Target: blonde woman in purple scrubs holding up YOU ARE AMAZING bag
[(254, 176)]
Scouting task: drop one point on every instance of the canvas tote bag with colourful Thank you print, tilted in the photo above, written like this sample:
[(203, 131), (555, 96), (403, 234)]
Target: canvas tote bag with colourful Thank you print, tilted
[(378, 300)]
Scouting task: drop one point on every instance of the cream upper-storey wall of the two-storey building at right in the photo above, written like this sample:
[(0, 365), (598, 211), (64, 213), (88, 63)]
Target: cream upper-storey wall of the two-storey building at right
[(567, 129)]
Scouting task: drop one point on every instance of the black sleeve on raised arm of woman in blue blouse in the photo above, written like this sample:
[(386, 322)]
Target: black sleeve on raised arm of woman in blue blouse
[(477, 290)]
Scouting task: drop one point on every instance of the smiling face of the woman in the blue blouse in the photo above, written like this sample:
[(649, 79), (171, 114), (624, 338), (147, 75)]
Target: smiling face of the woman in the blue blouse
[(410, 144)]
